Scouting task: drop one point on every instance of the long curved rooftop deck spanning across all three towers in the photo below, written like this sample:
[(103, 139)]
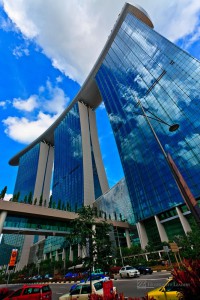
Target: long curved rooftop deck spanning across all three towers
[(89, 91)]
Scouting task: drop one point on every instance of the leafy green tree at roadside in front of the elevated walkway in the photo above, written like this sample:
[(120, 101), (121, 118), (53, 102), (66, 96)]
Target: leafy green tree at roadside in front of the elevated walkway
[(93, 238)]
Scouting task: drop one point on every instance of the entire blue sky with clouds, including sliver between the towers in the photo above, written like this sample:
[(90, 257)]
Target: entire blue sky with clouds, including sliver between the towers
[(47, 50)]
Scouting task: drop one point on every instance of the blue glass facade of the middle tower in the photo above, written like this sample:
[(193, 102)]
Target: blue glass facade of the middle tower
[(68, 162)]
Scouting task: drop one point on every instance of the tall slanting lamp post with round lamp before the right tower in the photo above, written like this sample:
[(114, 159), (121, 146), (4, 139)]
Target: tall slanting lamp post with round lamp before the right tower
[(182, 186)]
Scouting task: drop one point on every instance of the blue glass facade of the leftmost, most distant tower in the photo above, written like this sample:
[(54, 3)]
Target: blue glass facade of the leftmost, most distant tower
[(27, 172)]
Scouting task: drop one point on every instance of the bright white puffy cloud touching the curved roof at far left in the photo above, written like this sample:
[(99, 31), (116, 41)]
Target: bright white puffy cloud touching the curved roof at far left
[(25, 131)]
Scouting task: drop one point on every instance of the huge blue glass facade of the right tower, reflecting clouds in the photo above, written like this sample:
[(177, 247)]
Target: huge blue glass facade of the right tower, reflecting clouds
[(141, 64)]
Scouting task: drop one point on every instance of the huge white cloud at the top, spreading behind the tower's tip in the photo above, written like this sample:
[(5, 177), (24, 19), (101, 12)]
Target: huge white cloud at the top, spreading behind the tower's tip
[(79, 30)]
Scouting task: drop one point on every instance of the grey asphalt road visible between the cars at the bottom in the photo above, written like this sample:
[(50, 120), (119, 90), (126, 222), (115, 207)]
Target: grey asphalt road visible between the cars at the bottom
[(134, 287)]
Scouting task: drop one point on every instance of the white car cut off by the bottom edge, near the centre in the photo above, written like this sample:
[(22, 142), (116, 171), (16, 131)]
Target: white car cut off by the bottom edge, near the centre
[(82, 291)]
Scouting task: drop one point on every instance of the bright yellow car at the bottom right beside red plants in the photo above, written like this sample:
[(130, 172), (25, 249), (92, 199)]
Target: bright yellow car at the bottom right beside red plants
[(169, 291)]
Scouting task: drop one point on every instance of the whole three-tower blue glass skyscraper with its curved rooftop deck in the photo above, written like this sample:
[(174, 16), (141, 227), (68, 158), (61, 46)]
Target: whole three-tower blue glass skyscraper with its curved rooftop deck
[(136, 64)]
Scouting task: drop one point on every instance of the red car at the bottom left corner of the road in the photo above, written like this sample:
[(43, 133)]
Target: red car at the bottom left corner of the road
[(32, 292)]
